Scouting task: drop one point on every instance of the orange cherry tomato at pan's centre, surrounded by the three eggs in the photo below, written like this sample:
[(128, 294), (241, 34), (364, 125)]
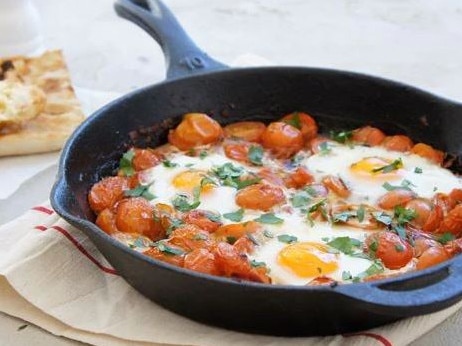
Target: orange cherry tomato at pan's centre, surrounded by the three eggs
[(259, 196)]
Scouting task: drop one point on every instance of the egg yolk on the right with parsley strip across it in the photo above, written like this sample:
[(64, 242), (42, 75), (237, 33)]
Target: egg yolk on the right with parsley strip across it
[(376, 166)]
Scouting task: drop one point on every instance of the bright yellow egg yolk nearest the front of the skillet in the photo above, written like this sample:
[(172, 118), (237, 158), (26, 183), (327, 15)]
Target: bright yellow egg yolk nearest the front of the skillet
[(308, 259)]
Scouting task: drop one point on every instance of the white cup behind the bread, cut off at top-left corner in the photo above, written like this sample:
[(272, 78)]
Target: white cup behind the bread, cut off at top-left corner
[(20, 28)]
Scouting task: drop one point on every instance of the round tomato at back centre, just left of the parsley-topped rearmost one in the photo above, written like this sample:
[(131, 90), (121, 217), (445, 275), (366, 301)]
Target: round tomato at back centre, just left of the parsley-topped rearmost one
[(282, 139)]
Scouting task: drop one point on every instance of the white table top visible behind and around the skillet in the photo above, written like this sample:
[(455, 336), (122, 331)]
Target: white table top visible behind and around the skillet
[(412, 41)]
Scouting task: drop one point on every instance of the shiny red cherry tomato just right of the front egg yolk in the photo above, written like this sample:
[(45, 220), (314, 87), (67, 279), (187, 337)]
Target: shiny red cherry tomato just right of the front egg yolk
[(394, 252)]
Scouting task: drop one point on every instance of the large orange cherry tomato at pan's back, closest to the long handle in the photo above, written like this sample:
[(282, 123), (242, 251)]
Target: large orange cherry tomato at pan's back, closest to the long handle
[(195, 129)]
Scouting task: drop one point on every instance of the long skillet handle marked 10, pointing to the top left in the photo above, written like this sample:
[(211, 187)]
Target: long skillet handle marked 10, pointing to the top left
[(182, 56)]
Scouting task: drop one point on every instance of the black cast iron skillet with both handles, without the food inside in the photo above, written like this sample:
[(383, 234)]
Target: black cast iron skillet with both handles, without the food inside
[(197, 83)]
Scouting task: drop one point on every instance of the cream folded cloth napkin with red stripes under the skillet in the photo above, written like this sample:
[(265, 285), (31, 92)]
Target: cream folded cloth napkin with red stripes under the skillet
[(51, 275)]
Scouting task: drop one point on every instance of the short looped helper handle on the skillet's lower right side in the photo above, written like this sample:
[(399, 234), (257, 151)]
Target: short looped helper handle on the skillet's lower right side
[(421, 293)]
